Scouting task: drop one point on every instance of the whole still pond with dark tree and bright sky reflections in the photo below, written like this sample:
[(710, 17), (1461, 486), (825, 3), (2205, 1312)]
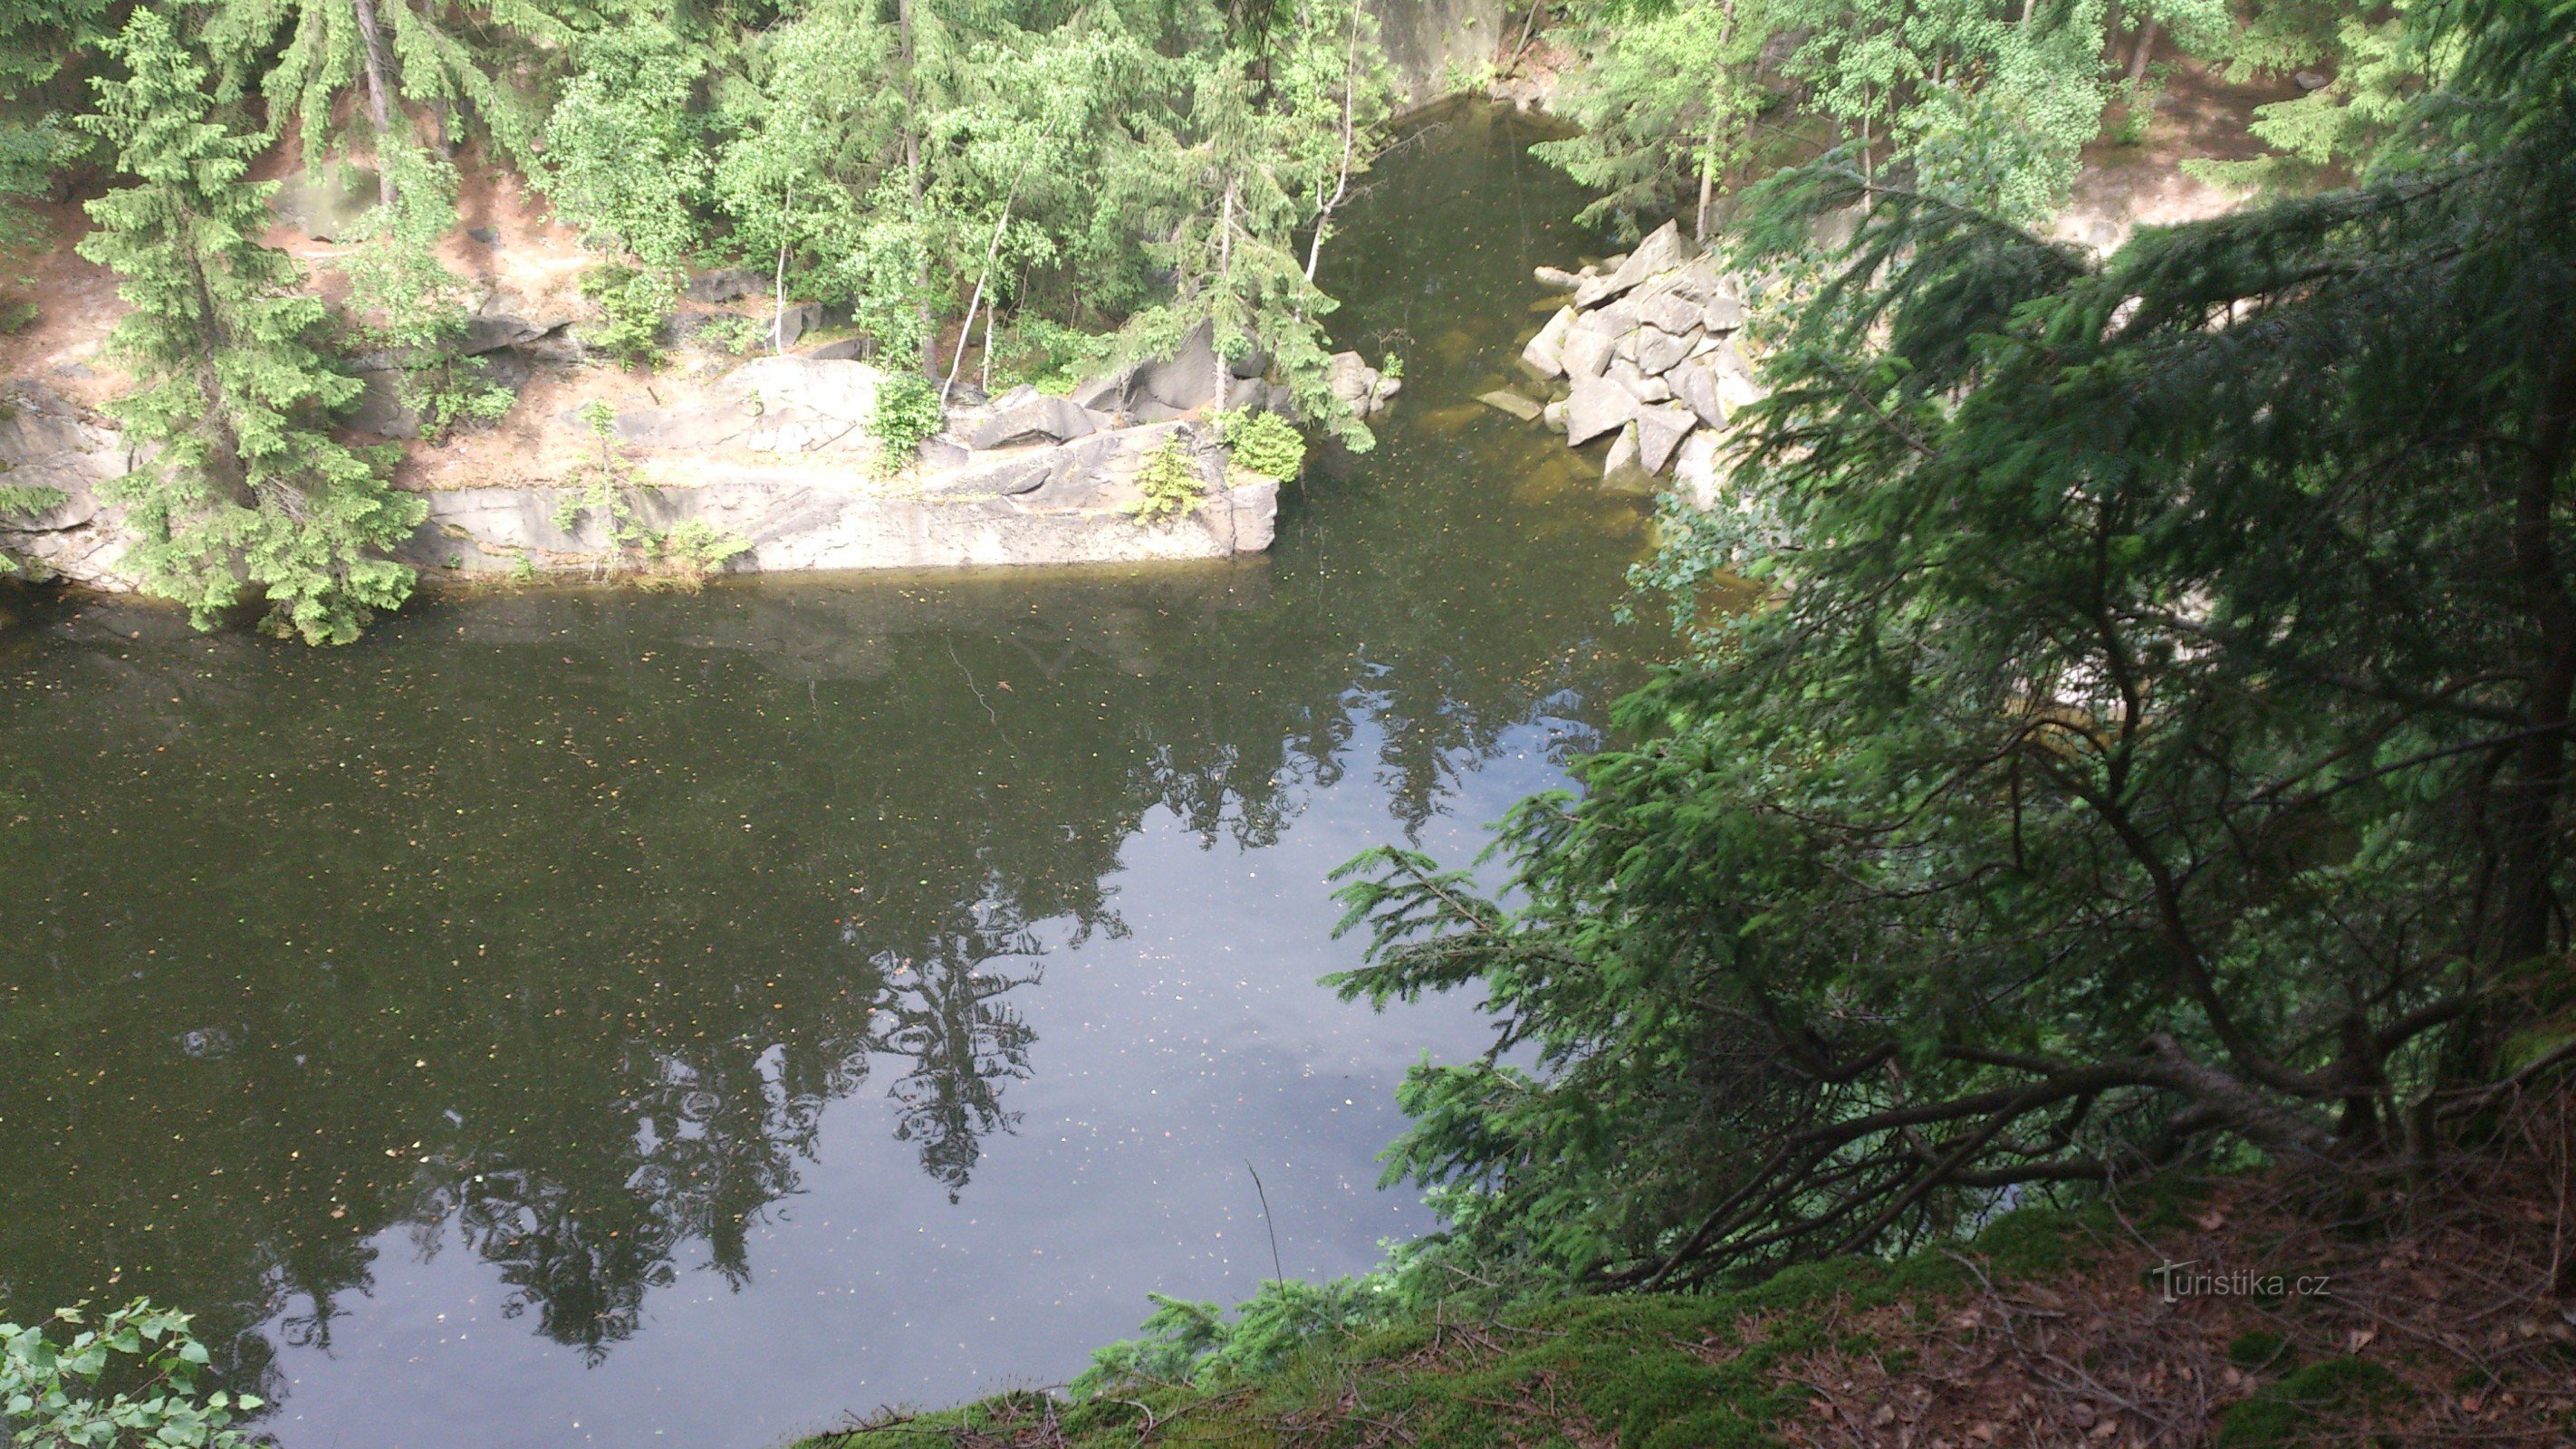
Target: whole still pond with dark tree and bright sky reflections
[(607, 1018)]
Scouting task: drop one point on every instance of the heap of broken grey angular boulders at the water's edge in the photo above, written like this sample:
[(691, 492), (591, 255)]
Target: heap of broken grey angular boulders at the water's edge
[(1653, 356)]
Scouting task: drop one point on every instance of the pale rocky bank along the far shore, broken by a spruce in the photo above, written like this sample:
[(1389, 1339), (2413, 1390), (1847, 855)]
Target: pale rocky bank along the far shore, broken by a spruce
[(777, 457)]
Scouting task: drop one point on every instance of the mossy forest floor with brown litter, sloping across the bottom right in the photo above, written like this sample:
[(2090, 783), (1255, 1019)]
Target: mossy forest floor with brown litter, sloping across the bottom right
[(2242, 1311)]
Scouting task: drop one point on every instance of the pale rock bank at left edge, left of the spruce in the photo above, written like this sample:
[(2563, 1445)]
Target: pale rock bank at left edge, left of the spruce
[(50, 447)]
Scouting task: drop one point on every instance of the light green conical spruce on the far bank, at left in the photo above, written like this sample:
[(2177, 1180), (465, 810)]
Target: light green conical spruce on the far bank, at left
[(231, 385)]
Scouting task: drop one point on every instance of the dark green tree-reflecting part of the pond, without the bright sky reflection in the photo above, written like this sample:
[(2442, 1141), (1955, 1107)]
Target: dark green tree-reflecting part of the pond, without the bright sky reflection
[(553, 928)]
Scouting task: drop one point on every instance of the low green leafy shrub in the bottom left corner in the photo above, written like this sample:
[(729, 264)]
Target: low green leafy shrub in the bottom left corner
[(120, 1383)]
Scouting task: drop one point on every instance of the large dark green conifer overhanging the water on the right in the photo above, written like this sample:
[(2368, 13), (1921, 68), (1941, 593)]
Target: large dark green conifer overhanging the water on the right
[(2152, 745)]
